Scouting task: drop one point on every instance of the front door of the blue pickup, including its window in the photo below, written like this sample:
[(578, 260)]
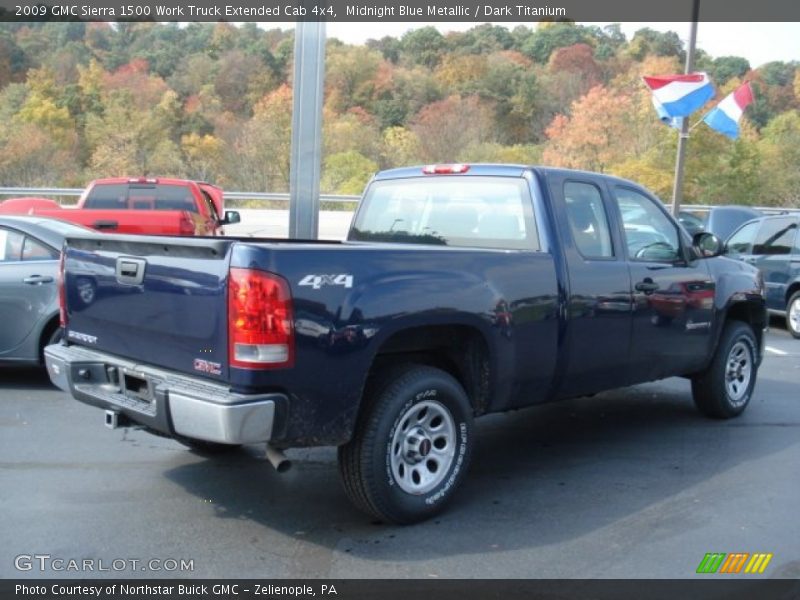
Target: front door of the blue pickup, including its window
[(673, 294)]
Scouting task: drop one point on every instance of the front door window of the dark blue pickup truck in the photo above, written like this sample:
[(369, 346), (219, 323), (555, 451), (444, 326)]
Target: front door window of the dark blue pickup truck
[(649, 233)]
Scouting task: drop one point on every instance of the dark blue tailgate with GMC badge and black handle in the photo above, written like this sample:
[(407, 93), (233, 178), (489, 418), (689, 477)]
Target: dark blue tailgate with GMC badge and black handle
[(155, 300)]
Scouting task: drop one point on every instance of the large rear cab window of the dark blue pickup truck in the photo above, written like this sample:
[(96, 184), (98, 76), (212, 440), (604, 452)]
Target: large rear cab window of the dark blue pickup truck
[(474, 212)]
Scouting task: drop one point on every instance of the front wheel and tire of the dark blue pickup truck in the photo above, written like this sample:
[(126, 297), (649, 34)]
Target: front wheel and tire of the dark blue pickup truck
[(724, 389)]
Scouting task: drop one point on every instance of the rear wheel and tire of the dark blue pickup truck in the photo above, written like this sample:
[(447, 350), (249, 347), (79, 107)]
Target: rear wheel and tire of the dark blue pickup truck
[(411, 447)]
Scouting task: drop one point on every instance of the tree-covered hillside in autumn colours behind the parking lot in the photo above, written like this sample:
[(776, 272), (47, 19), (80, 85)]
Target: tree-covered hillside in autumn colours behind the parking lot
[(213, 101)]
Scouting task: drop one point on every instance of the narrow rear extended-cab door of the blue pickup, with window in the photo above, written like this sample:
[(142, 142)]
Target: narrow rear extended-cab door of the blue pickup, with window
[(599, 290)]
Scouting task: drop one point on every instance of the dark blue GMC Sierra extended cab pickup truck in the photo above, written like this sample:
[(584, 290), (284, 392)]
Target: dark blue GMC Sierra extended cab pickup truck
[(461, 290)]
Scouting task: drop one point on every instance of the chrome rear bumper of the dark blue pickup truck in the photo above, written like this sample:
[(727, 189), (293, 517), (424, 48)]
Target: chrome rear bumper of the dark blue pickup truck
[(168, 402)]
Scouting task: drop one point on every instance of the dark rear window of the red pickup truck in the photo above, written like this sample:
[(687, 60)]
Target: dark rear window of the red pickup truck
[(141, 196)]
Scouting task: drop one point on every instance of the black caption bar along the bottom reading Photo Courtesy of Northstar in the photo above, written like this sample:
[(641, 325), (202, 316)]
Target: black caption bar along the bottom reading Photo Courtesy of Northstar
[(338, 589)]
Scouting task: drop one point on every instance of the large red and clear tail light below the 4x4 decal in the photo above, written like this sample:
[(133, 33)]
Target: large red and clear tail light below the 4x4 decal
[(260, 329)]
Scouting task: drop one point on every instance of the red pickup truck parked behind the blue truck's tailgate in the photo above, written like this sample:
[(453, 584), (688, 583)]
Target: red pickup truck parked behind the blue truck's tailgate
[(154, 206)]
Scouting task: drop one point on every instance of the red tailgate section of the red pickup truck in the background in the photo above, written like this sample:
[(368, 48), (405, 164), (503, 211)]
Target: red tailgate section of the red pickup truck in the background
[(148, 222)]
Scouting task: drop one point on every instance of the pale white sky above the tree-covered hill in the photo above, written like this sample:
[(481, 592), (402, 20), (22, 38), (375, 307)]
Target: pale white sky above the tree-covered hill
[(759, 43)]
